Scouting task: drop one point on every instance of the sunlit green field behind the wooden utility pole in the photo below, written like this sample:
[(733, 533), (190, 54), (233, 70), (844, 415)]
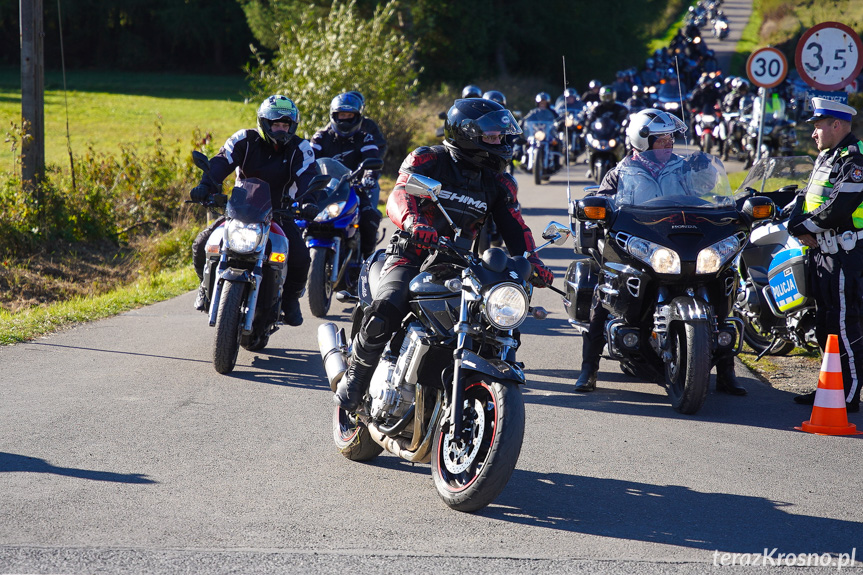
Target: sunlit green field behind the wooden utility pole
[(106, 110)]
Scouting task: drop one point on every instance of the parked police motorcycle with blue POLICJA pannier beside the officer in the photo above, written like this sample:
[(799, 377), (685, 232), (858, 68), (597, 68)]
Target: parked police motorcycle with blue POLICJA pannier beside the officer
[(773, 298)]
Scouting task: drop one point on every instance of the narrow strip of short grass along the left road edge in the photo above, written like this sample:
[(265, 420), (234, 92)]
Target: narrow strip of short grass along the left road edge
[(36, 321)]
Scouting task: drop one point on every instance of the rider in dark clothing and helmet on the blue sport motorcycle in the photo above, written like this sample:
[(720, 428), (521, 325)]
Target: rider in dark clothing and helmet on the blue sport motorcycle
[(343, 140)]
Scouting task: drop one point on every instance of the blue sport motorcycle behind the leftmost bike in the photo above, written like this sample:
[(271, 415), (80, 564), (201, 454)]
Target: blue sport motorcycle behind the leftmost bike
[(333, 236)]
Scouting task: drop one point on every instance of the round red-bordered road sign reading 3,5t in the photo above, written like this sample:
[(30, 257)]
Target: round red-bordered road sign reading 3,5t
[(828, 56)]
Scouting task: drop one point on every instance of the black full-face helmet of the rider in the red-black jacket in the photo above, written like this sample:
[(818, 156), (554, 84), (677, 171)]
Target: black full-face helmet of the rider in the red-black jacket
[(468, 120)]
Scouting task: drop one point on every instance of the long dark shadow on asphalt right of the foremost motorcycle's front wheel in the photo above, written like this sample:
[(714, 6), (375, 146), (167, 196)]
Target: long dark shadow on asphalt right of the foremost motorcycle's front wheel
[(669, 514)]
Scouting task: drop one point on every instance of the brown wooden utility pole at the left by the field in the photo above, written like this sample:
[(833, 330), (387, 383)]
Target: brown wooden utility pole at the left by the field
[(32, 93)]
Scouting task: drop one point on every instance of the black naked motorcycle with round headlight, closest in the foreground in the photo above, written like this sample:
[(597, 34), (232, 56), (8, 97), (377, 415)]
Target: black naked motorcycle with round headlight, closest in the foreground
[(447, 389)]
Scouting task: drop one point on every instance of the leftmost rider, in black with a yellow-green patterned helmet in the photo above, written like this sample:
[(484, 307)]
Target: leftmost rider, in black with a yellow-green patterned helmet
[(275, 154)]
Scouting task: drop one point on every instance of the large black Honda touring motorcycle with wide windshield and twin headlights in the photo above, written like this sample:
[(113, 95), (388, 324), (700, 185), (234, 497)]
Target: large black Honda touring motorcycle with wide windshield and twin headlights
[(661, 261)]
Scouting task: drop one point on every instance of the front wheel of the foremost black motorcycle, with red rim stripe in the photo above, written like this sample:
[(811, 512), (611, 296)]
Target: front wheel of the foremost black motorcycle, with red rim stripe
[(471, 472)]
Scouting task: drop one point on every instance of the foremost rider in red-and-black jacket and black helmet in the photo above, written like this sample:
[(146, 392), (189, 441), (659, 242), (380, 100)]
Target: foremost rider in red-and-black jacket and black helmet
[(471, 166)]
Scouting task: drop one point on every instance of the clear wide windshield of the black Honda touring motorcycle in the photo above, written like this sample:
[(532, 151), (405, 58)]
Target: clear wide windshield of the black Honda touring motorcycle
[(664, 179)]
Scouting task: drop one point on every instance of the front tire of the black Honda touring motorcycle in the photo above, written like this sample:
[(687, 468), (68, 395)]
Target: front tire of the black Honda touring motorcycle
[(687, 375)]
